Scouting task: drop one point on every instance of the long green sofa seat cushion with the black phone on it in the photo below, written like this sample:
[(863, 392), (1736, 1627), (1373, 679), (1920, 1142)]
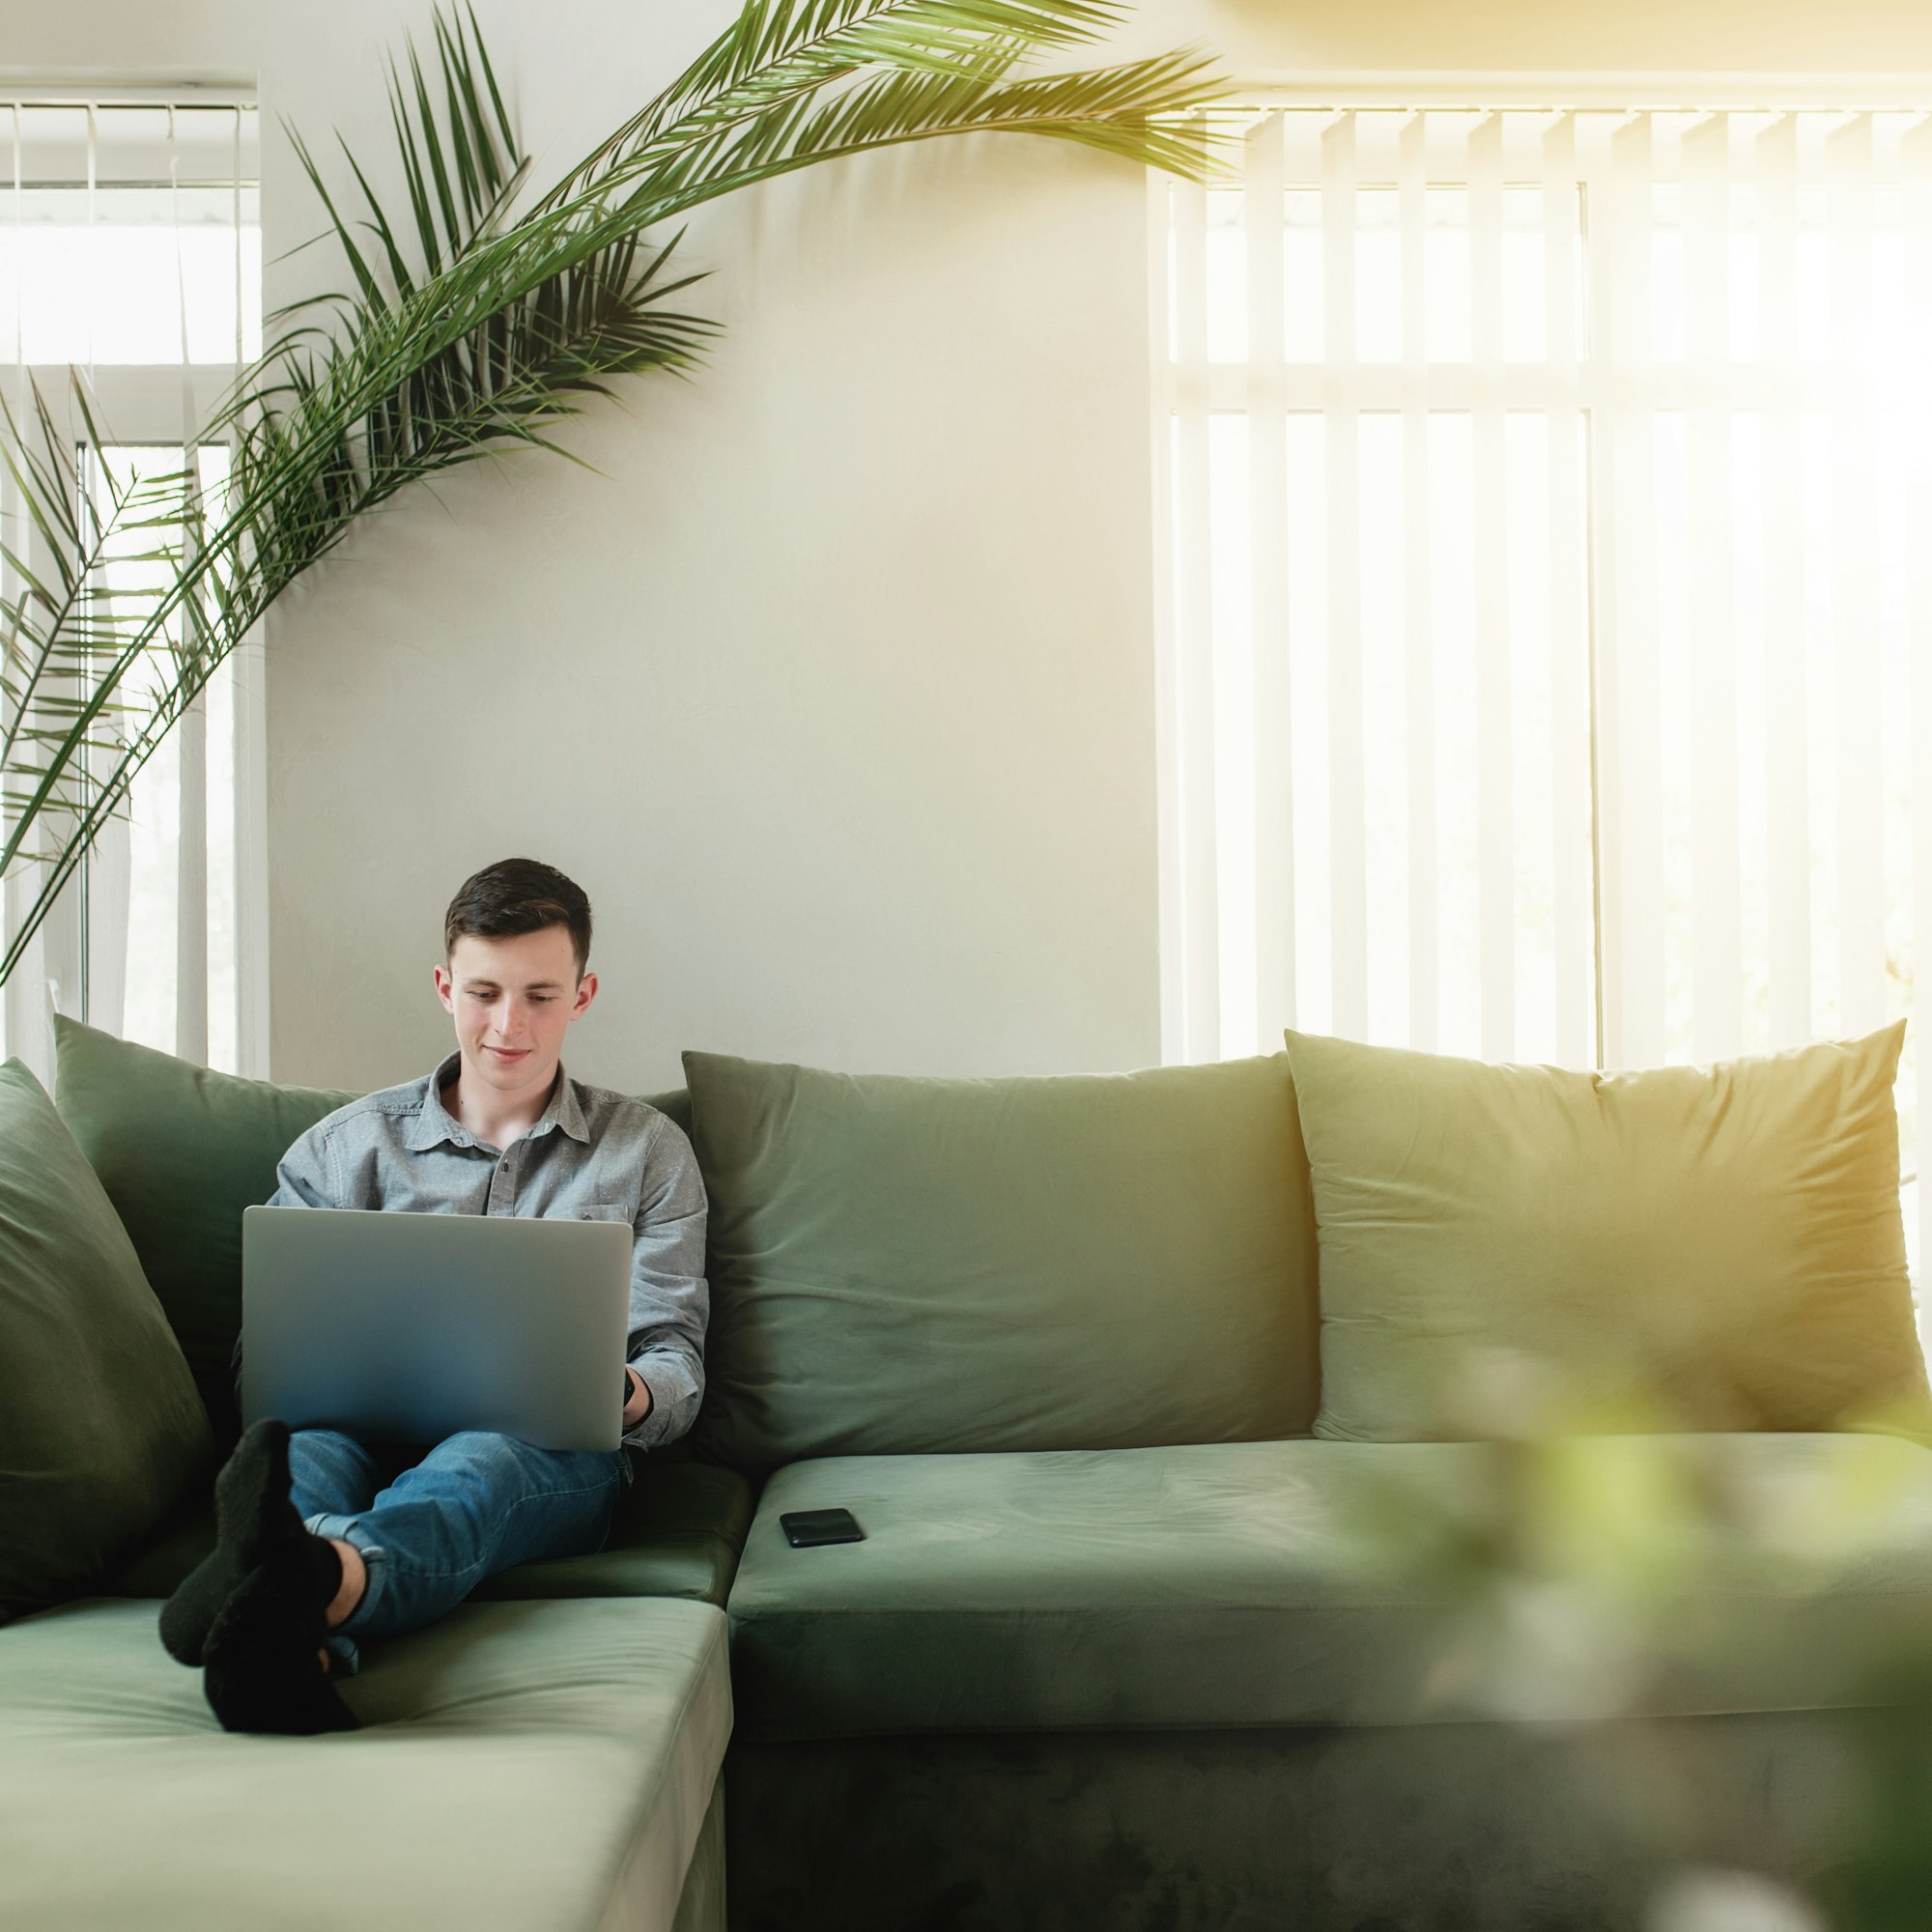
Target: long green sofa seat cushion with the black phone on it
[(1305, 1583)]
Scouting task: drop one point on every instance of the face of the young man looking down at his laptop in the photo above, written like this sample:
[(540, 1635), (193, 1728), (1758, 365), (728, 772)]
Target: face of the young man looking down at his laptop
[(513, 1002)]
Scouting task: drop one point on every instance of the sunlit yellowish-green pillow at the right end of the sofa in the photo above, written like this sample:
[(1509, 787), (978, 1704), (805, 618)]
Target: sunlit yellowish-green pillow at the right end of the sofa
[(1514, 1249)]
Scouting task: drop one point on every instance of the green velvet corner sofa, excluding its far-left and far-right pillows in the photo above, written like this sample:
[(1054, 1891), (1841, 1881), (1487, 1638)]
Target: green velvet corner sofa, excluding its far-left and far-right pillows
[(1125, 1645)]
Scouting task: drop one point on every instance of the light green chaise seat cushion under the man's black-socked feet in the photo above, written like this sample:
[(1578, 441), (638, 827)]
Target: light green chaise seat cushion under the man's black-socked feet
[(523, 1767)]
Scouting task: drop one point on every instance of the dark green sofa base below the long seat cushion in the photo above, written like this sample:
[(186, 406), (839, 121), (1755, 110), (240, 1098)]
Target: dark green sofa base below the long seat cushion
[(1440, 1829)]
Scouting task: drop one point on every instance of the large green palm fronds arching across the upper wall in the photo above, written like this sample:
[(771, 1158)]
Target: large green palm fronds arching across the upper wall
[(474, 324)]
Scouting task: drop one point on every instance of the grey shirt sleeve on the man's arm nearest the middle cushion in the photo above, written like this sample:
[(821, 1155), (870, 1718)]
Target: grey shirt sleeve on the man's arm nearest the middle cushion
[(669, 1295)]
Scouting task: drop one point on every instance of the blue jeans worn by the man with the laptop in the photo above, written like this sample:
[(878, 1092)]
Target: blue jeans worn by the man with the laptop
[(434, 1523)]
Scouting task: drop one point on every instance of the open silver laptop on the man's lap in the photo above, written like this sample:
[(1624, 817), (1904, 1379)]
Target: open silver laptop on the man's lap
[(412, 1326)]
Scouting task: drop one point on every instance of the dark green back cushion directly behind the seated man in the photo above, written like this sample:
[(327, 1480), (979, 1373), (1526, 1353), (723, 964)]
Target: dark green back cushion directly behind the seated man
[(181, 1152)]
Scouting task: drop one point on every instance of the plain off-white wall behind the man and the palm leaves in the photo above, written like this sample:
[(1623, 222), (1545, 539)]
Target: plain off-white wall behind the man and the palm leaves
[(836, 685)]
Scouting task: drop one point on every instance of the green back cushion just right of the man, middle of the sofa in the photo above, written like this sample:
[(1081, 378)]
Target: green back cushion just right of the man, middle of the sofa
[(1071, 1263)]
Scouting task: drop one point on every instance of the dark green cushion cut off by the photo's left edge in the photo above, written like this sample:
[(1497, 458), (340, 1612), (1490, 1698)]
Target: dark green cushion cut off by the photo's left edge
[(101, 1431)]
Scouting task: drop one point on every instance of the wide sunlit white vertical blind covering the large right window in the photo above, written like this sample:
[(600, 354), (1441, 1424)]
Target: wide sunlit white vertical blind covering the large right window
[(1545, 658)]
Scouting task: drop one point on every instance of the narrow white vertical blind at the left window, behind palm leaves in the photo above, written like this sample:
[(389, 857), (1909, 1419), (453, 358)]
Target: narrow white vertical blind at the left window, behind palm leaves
[(130, 250)]
